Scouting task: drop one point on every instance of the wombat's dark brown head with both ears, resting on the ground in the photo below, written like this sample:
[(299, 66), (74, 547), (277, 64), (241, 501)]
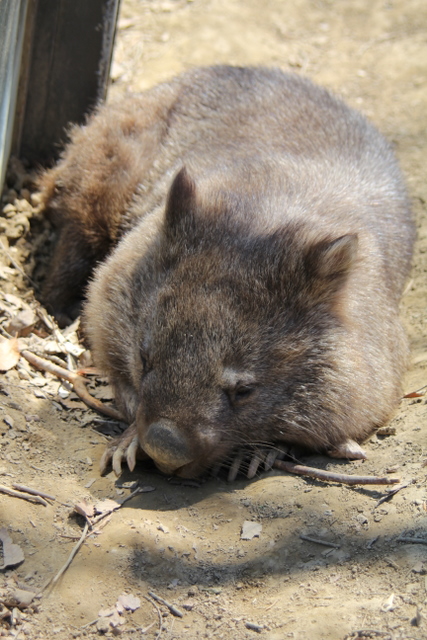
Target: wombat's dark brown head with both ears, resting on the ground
[(220, 337)]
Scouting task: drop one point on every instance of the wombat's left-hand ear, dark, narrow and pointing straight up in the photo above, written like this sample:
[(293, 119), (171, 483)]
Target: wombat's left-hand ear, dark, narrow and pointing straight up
[(180, 202)]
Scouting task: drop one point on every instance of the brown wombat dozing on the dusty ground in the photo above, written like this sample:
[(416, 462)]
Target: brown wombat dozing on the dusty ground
[(264, 237)]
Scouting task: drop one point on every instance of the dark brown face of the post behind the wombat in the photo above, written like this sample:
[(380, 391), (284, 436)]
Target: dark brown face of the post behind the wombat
[(64, 71)]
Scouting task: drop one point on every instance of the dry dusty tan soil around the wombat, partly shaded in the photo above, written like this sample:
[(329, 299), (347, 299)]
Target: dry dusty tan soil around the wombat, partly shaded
[(184, 542)]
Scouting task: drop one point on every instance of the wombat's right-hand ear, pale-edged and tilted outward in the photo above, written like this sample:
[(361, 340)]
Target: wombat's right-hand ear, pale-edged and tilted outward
[(332, 259)]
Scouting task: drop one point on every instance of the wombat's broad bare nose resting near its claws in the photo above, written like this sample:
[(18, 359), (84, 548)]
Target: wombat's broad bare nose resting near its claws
[(166, 446)]
